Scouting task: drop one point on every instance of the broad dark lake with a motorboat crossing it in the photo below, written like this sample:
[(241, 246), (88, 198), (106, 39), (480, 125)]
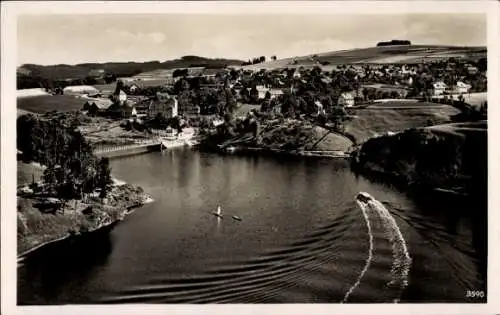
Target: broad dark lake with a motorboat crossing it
[(302, 239)]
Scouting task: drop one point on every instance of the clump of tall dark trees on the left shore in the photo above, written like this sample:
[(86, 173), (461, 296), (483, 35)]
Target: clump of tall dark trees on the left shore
[(72, 168)]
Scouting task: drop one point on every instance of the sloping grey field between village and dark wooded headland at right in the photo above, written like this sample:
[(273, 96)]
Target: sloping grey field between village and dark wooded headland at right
[(372, 122)]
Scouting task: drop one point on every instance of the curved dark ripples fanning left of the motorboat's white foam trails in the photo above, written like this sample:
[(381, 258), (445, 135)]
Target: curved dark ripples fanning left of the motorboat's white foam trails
[(330, 248)]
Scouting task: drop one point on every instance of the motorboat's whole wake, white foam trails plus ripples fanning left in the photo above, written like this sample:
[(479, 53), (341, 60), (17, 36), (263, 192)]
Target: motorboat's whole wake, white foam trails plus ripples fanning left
[(320, 266)]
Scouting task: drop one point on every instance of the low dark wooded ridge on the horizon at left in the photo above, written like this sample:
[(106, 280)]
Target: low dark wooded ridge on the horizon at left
[(80, 71)]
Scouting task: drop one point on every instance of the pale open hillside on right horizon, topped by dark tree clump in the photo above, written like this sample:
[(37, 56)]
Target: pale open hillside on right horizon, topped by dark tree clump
[(395, 54)]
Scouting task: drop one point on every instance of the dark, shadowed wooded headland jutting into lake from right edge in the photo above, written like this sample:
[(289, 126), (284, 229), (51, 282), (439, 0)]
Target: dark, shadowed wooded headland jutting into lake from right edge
[(451, 158)]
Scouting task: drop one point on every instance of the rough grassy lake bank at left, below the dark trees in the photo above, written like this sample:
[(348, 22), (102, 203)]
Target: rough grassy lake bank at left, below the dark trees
[(37, 228)]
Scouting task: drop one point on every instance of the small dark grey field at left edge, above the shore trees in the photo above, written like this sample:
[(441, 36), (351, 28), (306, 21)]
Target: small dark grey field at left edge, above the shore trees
[(48, 103)]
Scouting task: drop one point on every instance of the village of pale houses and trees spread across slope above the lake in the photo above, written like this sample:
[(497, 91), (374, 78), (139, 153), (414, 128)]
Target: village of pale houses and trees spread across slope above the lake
[(205, 98)]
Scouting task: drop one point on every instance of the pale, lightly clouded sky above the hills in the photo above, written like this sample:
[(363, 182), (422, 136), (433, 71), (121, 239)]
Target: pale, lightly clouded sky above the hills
[(72, 39)]
